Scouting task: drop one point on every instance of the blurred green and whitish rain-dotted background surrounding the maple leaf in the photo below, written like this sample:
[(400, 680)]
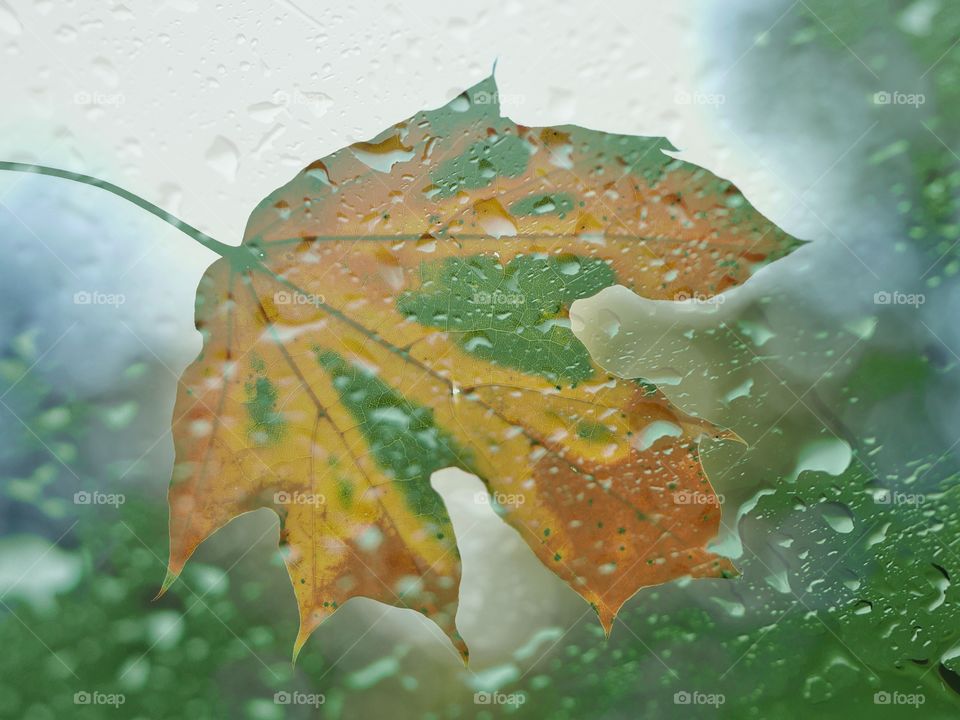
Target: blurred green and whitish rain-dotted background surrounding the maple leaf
[(838, 365)]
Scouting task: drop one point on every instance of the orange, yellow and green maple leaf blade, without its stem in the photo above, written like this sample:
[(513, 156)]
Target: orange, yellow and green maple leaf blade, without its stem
[(401, 306)]
